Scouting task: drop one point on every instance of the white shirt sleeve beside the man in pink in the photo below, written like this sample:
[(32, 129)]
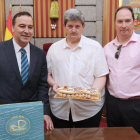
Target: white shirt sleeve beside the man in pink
[(100, 67)]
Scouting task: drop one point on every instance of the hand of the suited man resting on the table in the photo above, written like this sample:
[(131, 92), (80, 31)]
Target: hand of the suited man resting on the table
[(49, 123)]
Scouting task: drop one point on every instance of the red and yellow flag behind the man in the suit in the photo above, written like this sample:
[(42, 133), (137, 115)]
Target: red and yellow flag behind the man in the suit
[(8, 33)]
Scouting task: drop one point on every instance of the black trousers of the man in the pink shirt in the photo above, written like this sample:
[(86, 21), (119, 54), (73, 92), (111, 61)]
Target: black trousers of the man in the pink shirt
[(123, 113)]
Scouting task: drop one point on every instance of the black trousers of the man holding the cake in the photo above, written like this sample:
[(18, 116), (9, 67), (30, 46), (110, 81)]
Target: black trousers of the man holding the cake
[(90, 122)]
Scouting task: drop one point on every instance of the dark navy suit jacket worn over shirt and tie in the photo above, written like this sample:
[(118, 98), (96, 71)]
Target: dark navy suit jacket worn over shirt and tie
[(11, 87)]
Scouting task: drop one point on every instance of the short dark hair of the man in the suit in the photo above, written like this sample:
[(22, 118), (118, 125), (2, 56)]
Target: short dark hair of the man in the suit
[(23, 13)]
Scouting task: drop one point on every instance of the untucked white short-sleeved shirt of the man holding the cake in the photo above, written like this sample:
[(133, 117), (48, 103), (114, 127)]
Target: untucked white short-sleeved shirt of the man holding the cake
[(76, 67)]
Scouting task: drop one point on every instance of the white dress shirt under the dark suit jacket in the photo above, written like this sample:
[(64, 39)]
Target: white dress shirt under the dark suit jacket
[(18, 53)]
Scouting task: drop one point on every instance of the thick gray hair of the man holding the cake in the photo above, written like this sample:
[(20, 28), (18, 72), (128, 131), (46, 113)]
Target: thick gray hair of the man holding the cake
[(73, 14)]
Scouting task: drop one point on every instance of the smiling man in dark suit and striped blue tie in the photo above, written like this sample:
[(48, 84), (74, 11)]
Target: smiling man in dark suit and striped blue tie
[(23, 68)]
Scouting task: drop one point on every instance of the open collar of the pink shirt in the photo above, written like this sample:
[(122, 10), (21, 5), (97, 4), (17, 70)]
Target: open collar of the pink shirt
[(132, 39)]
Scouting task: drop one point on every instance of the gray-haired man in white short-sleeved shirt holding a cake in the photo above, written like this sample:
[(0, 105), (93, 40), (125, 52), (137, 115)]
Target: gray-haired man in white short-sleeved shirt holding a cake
[(76, 61)]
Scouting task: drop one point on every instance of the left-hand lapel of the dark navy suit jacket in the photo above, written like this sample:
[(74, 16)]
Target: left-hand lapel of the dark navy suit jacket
[(11, 56)]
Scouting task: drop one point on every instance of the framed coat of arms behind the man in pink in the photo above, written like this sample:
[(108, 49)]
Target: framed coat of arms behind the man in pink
[(135, 4)]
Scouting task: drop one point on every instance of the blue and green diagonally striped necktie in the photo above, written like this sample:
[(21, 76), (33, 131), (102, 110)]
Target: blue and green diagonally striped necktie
[(24, 66)]
